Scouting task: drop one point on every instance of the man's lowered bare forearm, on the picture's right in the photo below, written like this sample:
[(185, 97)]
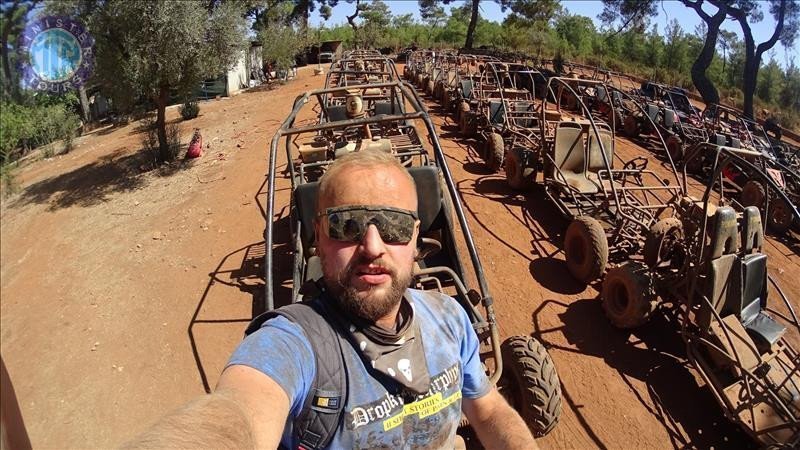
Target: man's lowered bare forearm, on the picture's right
[(497, 424)]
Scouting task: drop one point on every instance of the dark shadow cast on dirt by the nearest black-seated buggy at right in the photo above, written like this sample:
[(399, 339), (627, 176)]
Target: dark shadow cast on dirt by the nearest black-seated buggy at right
[(653, 354)]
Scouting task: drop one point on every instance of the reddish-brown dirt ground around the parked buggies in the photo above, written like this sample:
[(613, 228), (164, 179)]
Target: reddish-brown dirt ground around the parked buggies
[(124, 292)]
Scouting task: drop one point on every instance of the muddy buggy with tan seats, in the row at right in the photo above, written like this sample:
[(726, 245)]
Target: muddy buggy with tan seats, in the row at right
[(609, 208)]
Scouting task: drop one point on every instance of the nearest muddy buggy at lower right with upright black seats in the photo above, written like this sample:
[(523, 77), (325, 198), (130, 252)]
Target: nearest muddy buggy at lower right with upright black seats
[(707, 263)]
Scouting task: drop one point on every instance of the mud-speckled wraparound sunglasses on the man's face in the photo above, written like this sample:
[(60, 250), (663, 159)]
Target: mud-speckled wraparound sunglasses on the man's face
[(349, 223)]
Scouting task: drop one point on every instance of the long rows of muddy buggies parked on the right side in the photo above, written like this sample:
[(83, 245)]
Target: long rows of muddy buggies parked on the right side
[(644, 238)]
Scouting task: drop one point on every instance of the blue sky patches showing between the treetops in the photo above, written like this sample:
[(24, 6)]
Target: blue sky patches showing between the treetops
[(667, 10)]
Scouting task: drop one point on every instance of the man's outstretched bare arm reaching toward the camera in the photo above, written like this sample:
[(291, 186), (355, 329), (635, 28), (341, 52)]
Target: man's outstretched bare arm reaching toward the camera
[(247, 410)]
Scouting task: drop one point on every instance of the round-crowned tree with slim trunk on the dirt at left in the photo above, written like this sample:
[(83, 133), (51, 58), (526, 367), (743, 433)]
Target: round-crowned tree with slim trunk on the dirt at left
[(149, 48)]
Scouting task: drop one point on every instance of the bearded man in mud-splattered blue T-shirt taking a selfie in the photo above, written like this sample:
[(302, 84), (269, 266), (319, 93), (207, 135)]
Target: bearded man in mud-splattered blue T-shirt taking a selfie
[(423, 369)]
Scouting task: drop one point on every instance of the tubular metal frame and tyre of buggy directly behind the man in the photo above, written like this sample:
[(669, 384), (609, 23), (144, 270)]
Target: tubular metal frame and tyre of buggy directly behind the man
[(442, 268)]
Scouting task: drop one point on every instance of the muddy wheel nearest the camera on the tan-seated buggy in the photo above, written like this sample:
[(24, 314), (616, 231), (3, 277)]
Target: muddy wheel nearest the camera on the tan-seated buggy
[(586, 249)]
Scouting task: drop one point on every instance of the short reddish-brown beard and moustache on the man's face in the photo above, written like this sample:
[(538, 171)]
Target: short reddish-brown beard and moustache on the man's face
[(369, 305)]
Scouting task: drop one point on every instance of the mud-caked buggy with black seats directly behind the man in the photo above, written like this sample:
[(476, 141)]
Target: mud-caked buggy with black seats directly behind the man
[(520, 366)]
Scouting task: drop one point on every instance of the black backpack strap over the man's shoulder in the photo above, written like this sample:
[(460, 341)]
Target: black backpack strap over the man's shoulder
[(322, 410)]
